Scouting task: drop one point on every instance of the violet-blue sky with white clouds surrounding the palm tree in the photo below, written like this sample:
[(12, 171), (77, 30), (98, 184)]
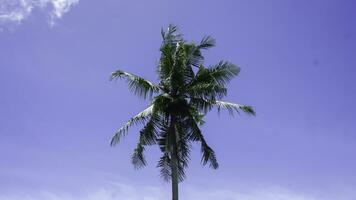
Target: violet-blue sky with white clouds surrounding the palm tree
[(58, 109)]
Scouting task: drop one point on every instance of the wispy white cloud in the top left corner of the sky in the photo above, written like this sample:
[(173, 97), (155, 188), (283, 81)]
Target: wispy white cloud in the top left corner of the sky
[(16, 11)]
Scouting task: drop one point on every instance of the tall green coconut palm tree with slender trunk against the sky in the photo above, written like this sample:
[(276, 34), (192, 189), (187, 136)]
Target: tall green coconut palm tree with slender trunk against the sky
[(186, 91)]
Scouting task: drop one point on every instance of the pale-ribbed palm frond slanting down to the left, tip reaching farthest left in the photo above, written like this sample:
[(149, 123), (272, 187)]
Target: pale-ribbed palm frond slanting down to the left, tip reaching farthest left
[(139, 118)]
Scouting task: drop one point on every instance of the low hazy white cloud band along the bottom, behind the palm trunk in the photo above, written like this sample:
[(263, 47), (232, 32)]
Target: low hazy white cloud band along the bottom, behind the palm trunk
[(128, 192)]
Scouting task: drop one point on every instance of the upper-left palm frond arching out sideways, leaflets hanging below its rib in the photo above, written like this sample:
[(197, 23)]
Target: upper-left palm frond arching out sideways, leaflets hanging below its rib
[(138, 85)]
